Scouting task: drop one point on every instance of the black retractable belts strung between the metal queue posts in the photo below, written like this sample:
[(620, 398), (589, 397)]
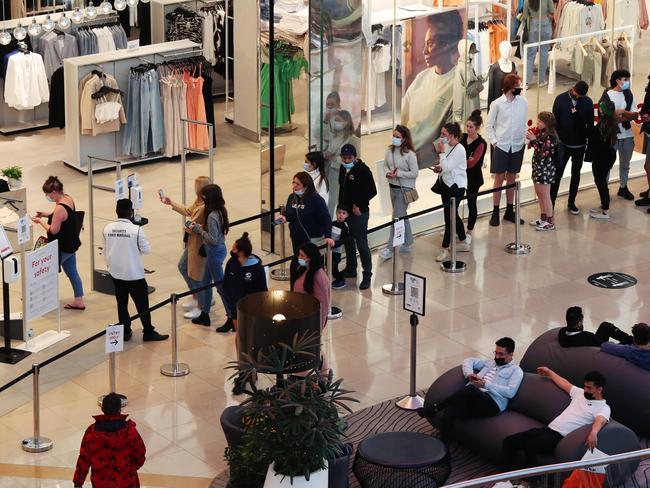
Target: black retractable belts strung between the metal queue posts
[(167, 301)]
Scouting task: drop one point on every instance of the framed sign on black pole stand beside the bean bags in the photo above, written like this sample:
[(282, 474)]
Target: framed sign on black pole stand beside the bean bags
[(415, 288)]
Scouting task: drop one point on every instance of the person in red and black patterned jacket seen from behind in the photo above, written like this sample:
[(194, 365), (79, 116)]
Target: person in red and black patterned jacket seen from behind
[(113, 449)]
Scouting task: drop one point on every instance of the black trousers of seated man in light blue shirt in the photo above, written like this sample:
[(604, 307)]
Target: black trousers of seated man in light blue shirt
[(466, 402)]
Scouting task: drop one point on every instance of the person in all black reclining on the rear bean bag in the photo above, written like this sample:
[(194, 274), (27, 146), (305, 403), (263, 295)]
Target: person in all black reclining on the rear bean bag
[(574, 335)]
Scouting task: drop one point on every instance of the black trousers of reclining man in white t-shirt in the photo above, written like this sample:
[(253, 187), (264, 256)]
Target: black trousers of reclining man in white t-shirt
[(531, 442)]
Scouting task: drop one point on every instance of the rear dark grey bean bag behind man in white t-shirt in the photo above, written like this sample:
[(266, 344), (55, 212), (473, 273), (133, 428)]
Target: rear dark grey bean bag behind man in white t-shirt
[(628, 386)]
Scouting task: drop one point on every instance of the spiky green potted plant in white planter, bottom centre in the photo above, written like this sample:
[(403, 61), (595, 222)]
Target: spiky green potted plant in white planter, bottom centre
[(291, 428)]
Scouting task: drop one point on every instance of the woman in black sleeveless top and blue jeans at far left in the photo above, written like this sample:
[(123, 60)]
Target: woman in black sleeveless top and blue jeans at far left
[(62, 226)]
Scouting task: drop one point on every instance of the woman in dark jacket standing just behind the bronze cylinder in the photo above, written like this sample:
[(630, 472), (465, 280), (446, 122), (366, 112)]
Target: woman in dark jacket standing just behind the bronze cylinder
[(243, 276)]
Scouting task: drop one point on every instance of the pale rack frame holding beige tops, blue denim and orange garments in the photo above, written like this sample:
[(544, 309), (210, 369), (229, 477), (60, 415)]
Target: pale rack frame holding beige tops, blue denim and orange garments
[(78, 147)]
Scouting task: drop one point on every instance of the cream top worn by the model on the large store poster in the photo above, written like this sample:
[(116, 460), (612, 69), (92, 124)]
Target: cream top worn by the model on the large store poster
[(426, 107)]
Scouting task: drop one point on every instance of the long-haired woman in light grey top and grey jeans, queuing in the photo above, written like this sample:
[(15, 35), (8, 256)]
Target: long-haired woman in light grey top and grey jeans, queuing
[(401, 169)]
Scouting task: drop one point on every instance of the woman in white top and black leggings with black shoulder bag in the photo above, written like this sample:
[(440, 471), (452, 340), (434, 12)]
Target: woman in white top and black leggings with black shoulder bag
[(452, 170)]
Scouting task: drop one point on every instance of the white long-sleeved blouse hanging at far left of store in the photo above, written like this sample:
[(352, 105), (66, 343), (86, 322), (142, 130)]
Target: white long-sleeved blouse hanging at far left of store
[(26, 81)]
